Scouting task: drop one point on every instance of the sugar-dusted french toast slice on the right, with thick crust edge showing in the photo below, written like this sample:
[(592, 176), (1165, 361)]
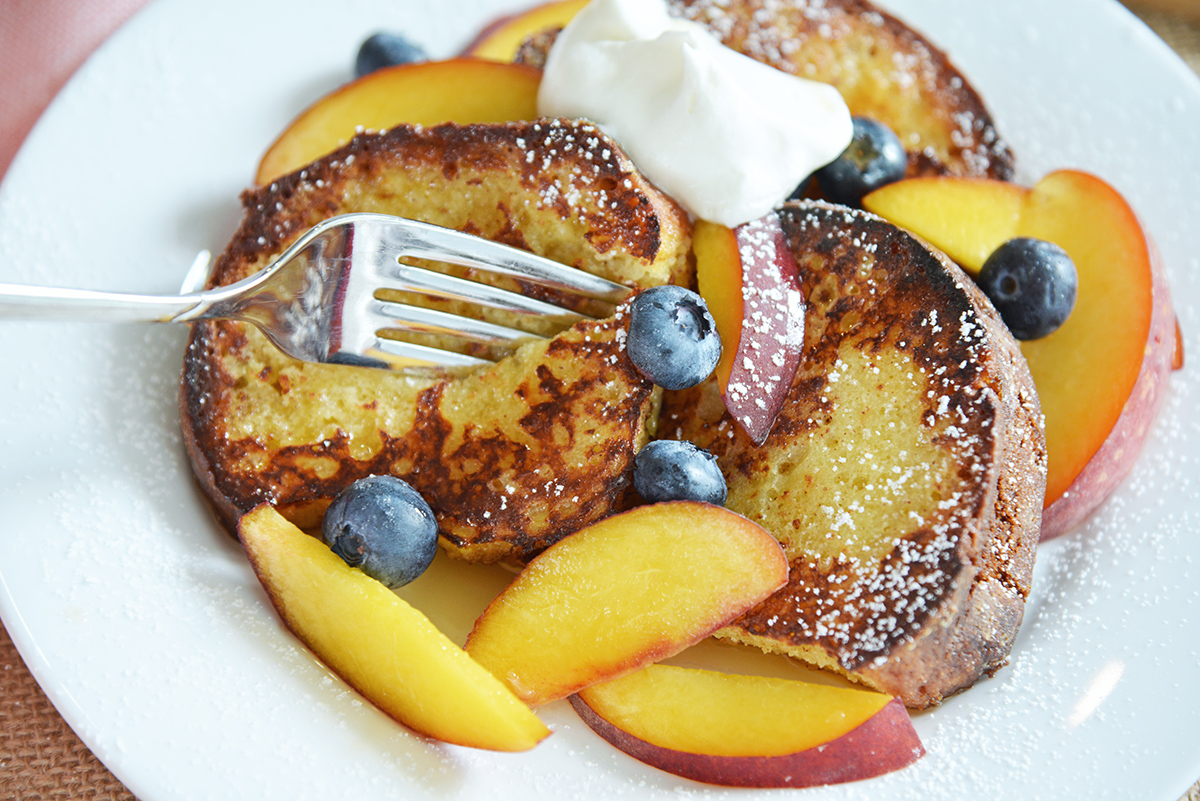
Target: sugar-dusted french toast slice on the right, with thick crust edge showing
[(904, 474)]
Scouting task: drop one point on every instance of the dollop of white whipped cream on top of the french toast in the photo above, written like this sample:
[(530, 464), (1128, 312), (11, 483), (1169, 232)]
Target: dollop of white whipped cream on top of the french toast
[(728, 137)]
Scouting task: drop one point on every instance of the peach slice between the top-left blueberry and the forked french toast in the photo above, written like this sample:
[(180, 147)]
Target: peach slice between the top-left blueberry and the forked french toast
[(429, 93)]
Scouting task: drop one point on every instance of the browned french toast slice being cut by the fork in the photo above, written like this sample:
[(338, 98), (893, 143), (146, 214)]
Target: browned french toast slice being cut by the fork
[(511, 457)]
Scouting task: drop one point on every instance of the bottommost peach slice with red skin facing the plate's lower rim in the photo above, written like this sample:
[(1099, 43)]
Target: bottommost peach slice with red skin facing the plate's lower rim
[(746, 731)]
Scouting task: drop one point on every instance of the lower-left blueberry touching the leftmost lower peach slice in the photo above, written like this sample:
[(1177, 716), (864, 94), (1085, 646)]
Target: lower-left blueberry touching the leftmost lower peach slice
[(383, 527)]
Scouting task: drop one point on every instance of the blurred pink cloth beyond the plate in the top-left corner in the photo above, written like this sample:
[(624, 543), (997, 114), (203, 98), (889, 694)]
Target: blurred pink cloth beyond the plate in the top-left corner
[(43, 43)]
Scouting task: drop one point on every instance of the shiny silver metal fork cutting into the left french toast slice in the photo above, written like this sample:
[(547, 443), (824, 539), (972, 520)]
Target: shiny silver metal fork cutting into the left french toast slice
[(319, 302)]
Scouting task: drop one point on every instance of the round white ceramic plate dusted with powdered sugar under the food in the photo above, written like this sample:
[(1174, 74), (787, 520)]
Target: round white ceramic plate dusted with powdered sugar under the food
[(145, 625)]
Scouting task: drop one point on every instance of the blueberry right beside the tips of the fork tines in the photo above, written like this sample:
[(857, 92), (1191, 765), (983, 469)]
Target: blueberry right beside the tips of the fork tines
[(673, 338)]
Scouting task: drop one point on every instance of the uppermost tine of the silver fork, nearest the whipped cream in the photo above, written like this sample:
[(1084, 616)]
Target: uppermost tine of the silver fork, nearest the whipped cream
[(423, 240)]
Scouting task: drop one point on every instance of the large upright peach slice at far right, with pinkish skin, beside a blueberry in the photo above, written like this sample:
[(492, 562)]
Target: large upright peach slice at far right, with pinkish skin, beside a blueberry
[(1093, 222)]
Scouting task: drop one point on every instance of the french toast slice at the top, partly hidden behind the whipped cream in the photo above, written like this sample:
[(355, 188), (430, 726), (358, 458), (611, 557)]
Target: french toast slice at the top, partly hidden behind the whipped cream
[(884, 69)]
